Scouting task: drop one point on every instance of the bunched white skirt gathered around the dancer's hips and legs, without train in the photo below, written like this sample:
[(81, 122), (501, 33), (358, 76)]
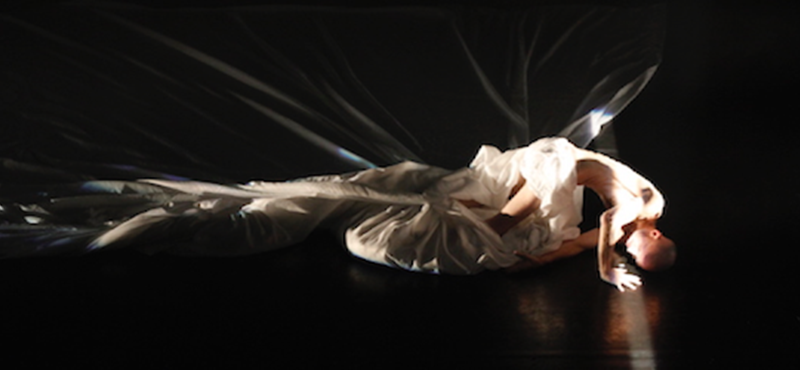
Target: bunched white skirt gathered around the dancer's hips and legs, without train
[(442, 235)]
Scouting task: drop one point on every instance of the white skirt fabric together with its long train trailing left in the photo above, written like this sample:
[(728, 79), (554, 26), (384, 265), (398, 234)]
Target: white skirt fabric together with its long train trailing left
[(409, 215)]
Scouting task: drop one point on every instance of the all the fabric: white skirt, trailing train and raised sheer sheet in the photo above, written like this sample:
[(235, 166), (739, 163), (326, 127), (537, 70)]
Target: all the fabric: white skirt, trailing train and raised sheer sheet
[(96, 98)]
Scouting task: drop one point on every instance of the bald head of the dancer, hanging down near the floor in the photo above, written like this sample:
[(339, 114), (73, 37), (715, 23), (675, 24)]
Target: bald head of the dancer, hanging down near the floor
[(652, 250)]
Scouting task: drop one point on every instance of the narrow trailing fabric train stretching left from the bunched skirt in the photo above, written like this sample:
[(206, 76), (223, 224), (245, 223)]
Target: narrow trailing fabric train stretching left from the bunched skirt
[(91, 215)]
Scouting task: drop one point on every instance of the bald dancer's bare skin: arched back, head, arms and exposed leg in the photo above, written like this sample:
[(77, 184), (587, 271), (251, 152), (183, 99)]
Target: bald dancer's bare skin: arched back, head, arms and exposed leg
[(633, 207)]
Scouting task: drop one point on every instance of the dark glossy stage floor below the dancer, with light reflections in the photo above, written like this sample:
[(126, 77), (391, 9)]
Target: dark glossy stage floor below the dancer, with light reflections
[(314, 305)]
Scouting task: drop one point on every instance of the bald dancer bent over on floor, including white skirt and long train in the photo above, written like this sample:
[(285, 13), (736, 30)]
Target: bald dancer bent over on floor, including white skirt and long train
[(511, 210)]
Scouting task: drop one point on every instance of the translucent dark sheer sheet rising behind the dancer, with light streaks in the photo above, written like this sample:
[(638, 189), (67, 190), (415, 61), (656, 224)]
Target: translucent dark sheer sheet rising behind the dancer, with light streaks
[(275, 93)]
